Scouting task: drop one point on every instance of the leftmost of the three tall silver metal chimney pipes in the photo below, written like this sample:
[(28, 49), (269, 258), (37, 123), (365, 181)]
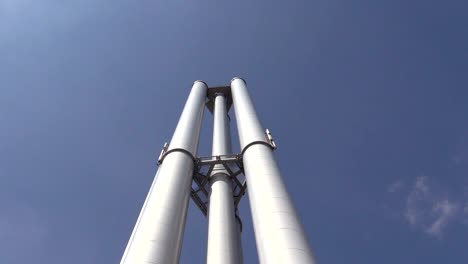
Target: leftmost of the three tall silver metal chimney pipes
[(158, 232)]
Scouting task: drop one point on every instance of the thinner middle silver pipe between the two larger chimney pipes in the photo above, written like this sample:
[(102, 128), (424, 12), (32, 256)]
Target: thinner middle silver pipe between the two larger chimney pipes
[(224, 245)]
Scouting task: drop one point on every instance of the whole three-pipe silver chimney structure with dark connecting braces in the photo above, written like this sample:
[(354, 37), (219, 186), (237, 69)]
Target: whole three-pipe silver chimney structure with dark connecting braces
[(216, 184)]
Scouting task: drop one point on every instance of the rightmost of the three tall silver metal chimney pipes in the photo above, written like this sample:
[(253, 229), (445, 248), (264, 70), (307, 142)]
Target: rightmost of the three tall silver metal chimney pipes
[(279, 234)]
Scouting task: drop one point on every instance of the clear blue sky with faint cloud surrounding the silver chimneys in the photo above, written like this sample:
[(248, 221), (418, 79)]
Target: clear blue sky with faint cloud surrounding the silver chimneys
[(368, 101)]
